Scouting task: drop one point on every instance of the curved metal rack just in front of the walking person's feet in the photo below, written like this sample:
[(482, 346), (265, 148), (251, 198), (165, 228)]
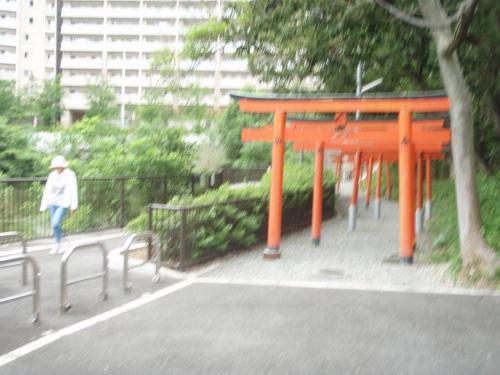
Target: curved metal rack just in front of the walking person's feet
[(65, 305)]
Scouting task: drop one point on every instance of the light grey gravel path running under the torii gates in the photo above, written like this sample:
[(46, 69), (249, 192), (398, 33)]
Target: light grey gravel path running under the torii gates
[(360, 257)]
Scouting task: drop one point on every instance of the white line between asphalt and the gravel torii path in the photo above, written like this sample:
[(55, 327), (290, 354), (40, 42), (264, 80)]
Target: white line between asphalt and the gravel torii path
[(347, 286)]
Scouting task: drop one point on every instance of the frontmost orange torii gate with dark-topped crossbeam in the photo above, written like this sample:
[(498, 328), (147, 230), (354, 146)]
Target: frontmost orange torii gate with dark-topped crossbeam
[(404, 143)]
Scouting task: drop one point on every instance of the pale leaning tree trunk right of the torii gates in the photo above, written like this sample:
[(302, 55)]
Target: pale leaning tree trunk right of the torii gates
[(472, 245)]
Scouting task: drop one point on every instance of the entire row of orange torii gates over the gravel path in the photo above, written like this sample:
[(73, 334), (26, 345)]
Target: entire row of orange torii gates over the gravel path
[(405, 140)]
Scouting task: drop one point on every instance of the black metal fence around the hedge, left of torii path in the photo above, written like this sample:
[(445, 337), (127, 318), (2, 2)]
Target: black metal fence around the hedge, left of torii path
[(193, 234)]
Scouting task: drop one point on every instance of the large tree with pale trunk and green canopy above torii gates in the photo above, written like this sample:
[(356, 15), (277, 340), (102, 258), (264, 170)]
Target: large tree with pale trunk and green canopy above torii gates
[(289, 41)]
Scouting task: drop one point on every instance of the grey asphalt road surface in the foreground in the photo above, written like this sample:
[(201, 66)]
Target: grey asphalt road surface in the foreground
[(205, 328)]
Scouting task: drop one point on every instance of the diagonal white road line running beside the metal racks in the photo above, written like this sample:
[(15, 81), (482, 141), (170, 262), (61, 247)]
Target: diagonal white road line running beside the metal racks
[(51, 337)]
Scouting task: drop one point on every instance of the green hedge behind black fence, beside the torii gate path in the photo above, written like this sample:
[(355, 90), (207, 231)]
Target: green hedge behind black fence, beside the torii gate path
[(216, 226)]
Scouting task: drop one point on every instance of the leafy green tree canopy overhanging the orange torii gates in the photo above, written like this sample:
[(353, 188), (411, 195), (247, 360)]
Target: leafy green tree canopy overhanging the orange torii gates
[(287, 42)]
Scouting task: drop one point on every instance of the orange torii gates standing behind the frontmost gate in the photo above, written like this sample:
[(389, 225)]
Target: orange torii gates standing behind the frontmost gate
[(371, 136)]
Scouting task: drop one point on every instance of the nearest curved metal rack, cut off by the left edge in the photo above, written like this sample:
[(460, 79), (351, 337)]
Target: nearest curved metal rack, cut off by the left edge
[(12, 260)]
